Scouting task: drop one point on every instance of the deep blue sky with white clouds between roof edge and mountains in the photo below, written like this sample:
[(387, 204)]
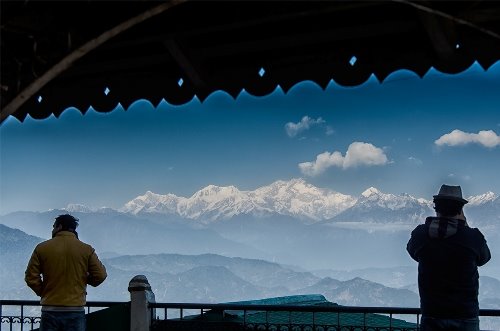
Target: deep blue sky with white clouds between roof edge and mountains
[(408, 134)]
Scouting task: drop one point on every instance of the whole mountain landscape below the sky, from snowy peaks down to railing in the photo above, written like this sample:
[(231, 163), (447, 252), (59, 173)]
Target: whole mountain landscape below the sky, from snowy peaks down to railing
[(224, 245)]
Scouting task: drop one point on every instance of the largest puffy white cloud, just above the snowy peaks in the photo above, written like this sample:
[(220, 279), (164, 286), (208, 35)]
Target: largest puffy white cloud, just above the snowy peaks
[(358, 154)]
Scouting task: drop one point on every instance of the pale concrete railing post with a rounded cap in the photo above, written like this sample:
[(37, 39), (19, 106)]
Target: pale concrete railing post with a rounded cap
[(140, 296)]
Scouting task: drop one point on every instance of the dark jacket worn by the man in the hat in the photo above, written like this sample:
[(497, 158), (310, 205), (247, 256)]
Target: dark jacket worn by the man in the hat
[(448, 253)]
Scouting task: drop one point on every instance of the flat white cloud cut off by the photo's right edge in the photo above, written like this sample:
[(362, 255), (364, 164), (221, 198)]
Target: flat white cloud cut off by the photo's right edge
[(457, 137)]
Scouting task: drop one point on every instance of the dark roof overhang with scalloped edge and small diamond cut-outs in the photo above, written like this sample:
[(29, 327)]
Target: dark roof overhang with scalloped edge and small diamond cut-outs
[(60, 54)]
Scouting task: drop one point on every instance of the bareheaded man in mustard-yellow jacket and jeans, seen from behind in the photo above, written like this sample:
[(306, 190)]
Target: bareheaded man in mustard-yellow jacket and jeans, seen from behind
[(59, 271)]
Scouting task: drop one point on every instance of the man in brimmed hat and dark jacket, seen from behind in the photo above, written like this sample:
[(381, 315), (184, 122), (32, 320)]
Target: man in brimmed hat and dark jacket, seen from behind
[(448, 253)]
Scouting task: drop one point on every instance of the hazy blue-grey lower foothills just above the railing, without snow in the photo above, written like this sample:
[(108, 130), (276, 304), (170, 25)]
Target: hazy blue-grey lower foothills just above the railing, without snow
[(216, 278)]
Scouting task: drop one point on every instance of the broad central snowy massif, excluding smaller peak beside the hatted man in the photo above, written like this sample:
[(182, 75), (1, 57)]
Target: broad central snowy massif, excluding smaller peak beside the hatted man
[(294, 198)]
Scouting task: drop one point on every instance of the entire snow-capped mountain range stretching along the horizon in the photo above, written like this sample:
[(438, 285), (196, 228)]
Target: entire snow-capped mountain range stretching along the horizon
[(295, 198)]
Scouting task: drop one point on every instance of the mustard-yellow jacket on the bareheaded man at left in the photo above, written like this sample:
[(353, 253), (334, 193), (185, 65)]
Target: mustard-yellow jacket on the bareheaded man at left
[(60, 269)]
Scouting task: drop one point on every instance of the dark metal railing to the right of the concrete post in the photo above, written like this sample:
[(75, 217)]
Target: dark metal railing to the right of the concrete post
[(197, 316)]
